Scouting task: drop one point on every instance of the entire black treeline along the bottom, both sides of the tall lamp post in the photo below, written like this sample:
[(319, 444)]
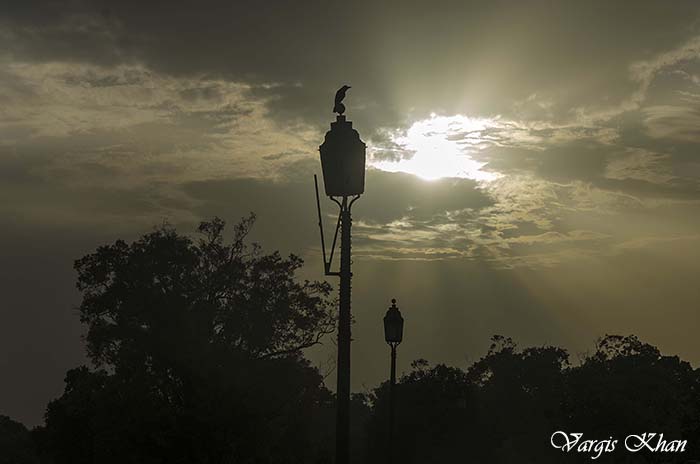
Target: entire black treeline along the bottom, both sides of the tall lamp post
[(197, 357)]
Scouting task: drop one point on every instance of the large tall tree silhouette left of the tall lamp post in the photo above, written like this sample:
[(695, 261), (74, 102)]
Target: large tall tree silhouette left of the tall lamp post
[(197, 348)]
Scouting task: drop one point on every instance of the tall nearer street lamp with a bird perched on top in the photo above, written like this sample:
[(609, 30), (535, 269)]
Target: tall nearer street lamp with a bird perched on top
[(343, 160)]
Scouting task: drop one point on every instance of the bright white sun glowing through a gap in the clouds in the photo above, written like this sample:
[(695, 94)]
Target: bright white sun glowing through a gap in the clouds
[(439, 147)]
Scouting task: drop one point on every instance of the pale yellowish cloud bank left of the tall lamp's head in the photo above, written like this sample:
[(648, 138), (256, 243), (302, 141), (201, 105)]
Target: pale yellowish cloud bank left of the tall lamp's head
[(132, 115)]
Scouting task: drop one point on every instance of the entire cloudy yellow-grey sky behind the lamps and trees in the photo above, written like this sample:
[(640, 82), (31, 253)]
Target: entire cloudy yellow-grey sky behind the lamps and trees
[(533, 167)]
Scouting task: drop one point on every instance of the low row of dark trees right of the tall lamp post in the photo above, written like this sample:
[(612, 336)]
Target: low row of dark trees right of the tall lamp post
[(505, 407)]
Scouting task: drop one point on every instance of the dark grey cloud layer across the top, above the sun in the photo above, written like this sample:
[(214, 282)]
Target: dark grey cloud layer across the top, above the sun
[(455, 56)]
